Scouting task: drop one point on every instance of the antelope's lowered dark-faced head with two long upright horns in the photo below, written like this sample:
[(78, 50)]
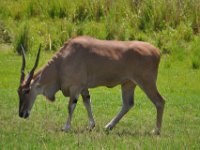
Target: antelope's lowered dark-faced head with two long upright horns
[(26, 91)]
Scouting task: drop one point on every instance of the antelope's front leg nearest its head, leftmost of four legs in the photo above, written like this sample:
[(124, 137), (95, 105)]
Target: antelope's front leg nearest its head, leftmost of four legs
[(71, 107)]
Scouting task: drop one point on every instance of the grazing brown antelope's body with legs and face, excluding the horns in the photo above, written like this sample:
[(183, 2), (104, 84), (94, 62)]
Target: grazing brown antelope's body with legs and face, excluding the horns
[(85, 62)]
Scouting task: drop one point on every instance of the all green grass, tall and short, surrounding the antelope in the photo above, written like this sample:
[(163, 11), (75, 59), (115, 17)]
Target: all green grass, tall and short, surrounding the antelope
[(171, 25)]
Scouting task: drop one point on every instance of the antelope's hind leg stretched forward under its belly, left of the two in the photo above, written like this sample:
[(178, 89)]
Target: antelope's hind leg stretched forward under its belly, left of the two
[(127, 102)]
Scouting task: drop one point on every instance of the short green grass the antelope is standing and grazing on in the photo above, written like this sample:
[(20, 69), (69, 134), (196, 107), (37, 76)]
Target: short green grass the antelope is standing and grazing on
[(177, 82)]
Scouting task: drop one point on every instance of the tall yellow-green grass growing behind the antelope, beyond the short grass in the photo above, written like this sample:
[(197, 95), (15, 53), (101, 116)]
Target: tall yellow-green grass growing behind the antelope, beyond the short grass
[(169, 24)]
